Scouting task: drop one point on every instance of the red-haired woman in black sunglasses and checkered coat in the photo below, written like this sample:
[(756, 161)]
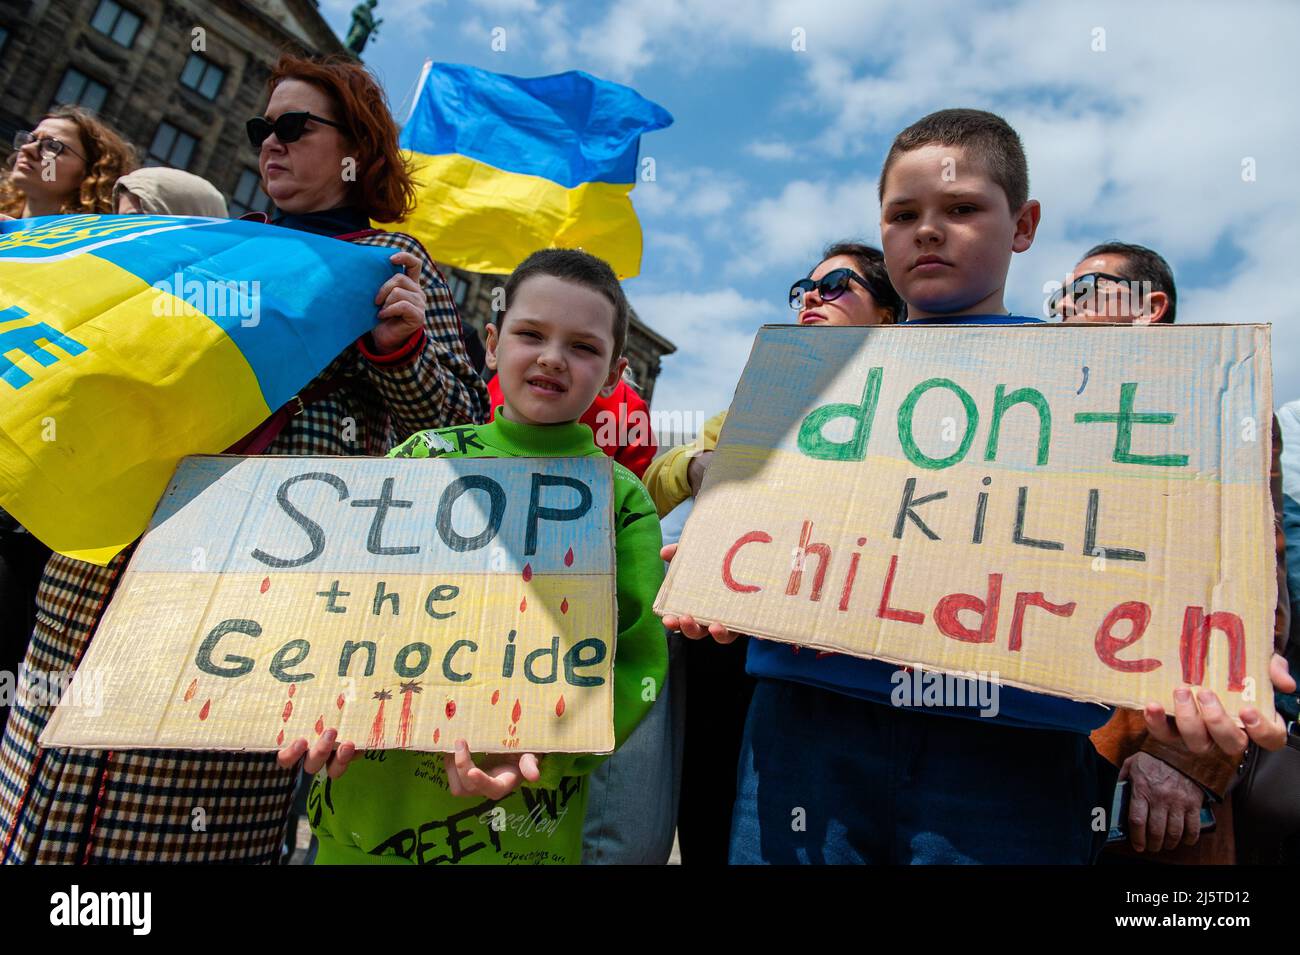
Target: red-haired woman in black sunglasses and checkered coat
[(408, 375)]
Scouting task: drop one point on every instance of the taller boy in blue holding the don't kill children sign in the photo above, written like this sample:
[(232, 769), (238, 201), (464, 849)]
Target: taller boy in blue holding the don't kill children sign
[(830, 771)]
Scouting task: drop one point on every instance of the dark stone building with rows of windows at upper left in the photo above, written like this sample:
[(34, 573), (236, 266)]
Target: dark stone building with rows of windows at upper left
[(177, 79)]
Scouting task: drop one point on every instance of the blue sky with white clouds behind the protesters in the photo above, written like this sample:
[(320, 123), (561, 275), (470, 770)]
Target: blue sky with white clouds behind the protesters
[(1167, 124)]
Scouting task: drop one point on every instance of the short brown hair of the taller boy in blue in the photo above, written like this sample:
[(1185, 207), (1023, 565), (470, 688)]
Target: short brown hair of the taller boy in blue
[(987, 137)]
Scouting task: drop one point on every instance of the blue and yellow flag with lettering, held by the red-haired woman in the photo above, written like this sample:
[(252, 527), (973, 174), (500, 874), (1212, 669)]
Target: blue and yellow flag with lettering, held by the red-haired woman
[(128, 342)]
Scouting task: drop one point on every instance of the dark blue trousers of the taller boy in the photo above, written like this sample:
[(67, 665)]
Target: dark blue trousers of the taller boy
[(829, 779)]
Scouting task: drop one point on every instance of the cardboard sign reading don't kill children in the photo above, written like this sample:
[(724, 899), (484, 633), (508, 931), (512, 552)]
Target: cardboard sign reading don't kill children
[(1081, 511)]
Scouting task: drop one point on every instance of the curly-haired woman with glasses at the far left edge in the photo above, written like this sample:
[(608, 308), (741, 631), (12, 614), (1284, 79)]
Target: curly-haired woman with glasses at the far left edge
[(67, 166)]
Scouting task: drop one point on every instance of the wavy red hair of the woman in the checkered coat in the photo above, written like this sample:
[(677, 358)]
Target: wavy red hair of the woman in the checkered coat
[(383, 189)]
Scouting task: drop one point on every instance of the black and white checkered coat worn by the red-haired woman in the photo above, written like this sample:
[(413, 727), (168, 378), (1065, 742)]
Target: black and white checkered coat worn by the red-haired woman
[(60, 806)]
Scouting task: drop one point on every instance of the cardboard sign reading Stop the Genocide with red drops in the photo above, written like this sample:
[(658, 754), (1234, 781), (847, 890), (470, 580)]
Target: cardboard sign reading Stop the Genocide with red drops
[(410, 604)]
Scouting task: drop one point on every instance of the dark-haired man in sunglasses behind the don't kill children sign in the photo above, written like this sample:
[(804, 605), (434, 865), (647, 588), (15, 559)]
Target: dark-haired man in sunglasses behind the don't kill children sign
[(1117, 283)]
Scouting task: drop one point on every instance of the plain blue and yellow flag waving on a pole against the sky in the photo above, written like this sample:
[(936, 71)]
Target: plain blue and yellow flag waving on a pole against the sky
[(506, 166)]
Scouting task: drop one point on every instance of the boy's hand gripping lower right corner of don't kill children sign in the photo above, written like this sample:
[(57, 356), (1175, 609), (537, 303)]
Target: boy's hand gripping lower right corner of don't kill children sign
[(1210, 726)]
